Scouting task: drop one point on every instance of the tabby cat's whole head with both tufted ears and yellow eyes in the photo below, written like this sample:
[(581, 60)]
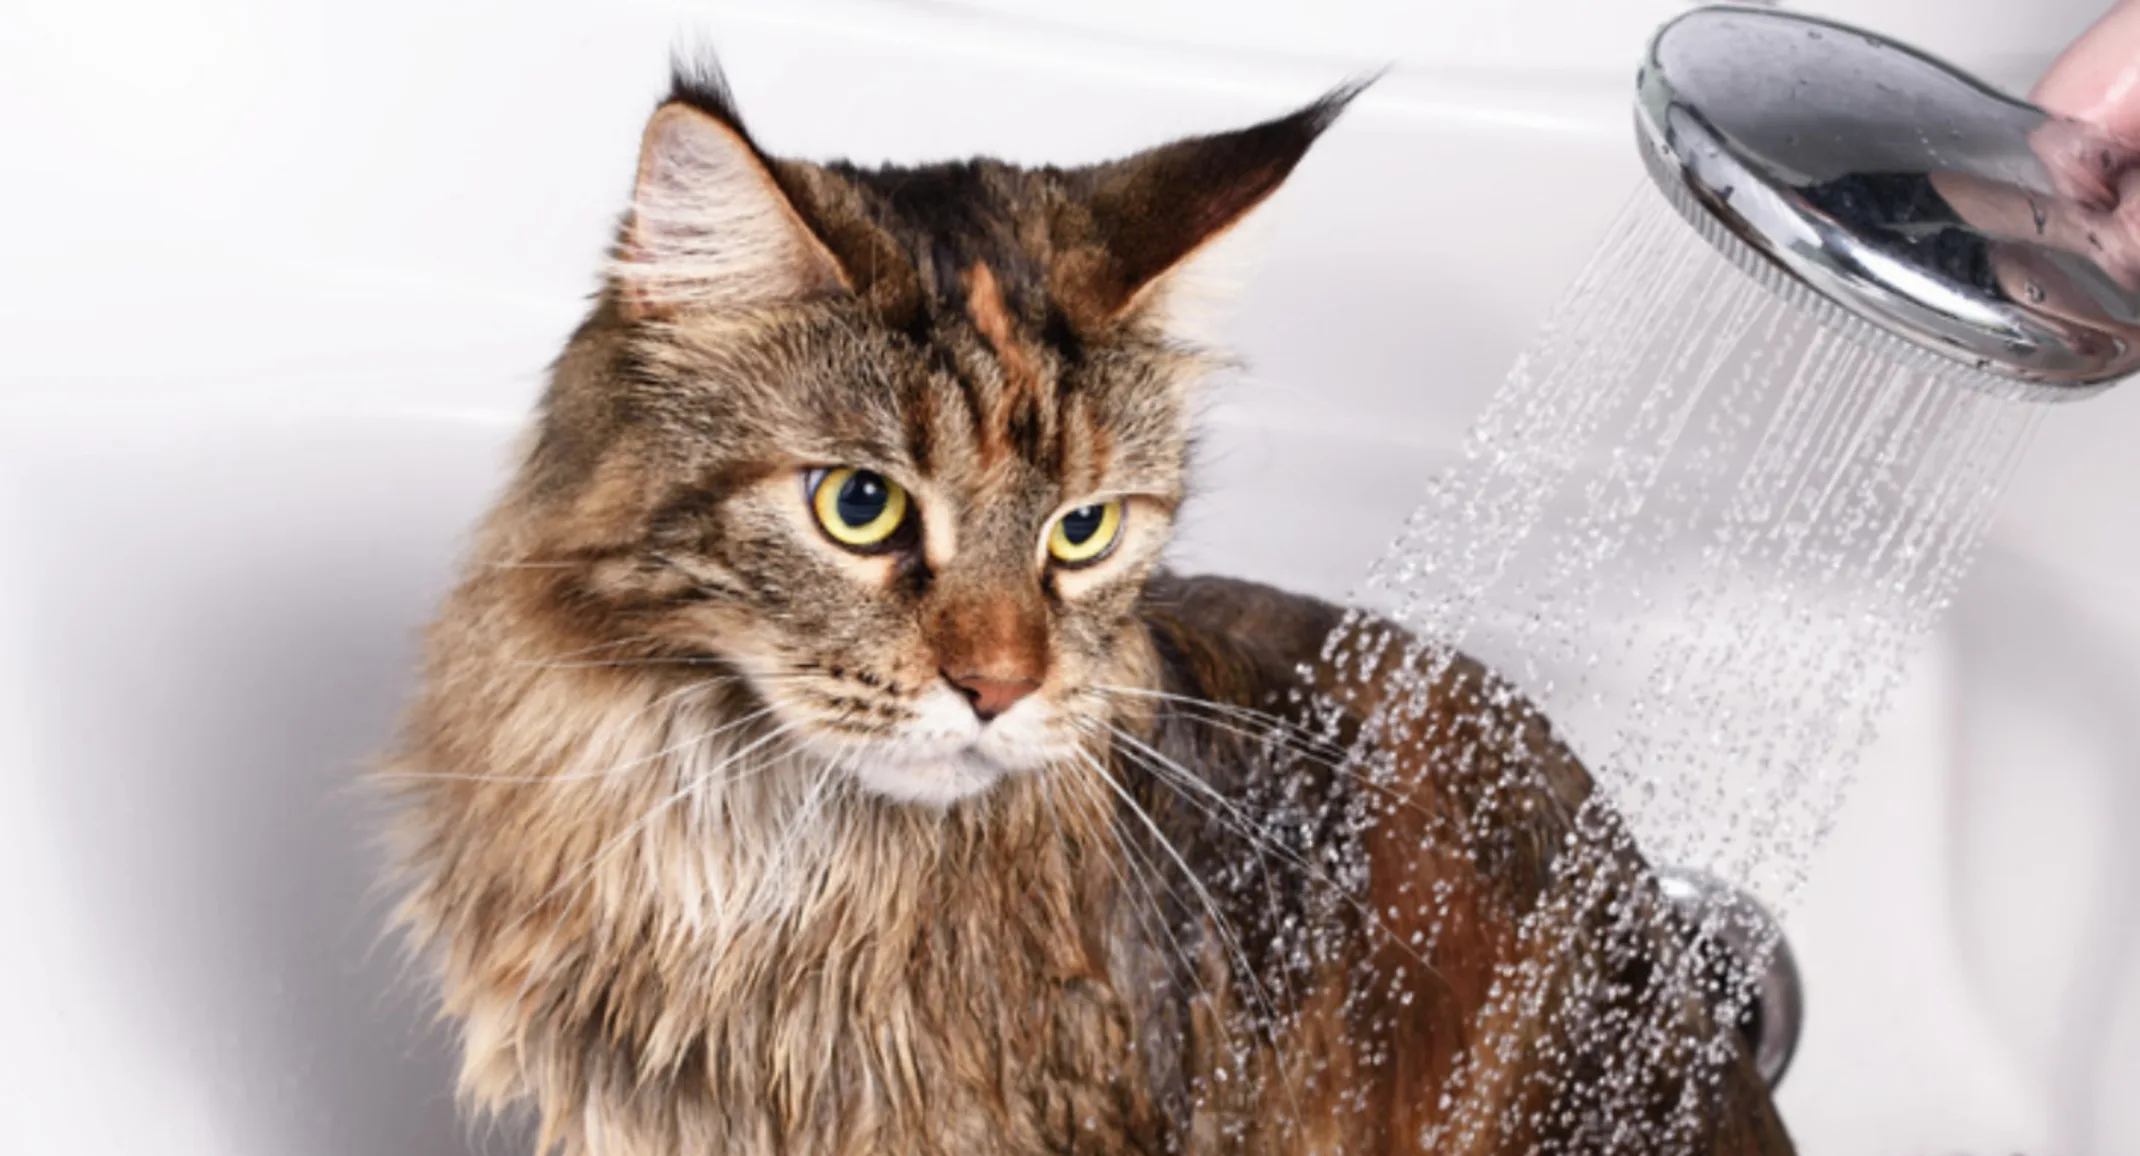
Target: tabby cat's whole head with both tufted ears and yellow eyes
[(898, 446)]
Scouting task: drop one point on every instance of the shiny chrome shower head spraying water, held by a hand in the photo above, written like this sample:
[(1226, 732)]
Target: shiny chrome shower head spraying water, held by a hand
[(1895, 198)]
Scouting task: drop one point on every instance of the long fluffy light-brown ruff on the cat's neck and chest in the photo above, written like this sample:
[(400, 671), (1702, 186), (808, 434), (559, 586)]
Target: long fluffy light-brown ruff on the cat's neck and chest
[(782, 913)]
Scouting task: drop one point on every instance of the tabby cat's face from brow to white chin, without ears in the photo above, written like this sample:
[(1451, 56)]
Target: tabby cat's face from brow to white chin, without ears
[(923, 566)]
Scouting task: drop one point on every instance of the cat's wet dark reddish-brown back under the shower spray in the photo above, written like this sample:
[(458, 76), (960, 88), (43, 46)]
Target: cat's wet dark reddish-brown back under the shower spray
[(1428, 830)]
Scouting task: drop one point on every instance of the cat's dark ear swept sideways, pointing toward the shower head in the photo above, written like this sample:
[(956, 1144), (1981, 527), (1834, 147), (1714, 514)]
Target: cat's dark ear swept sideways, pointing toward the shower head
[(1155, 217)]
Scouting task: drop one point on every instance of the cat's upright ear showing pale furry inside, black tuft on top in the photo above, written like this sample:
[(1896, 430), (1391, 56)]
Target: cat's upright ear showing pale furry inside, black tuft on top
[(709, 222)]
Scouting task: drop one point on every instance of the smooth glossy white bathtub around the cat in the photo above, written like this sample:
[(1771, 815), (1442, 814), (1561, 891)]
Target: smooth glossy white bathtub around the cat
[(279, 288)]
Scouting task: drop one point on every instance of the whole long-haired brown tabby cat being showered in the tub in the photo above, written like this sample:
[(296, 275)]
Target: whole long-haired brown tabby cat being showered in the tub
[(814, 759)]
